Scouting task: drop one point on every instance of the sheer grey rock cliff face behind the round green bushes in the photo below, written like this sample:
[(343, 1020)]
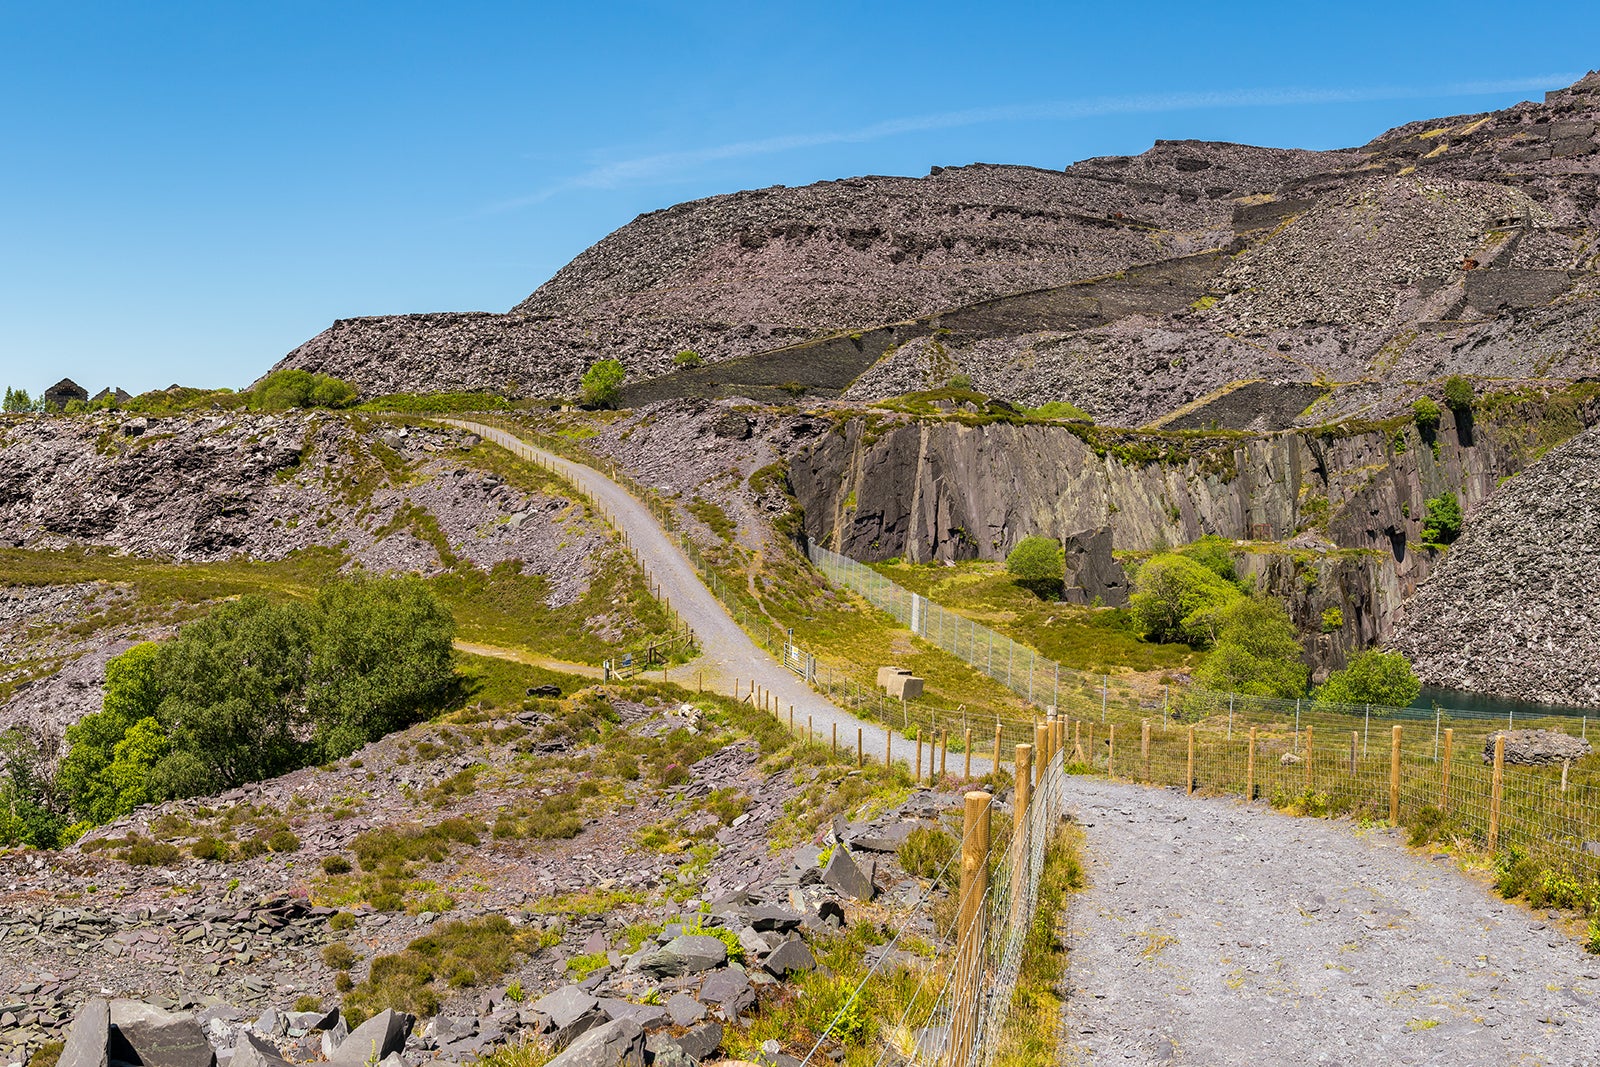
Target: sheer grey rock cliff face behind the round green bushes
[(1342, 506)]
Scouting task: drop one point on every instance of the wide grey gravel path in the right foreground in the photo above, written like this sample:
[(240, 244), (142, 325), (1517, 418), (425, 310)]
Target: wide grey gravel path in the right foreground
[(1217, 933)]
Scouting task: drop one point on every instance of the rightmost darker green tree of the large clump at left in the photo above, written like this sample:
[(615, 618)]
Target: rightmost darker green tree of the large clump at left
[(383, 661)]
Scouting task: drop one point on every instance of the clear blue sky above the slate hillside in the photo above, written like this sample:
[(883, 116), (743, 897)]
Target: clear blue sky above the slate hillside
[(190, 191)]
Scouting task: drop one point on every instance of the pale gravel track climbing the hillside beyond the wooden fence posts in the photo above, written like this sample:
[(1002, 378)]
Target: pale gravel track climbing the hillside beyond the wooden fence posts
[(727, 652)]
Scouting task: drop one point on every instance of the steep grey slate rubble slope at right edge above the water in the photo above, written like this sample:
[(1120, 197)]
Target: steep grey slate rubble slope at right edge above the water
[(1513, 609)]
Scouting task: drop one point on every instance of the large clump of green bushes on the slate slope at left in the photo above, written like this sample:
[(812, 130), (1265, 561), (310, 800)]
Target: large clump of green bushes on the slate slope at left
[(255, 690)]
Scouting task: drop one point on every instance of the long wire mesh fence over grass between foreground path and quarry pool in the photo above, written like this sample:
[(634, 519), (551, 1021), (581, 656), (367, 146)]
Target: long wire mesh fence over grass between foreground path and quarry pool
[(1370, 761)]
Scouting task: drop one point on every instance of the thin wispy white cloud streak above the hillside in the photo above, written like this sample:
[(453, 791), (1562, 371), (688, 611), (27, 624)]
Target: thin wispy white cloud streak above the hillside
[(663, 166)]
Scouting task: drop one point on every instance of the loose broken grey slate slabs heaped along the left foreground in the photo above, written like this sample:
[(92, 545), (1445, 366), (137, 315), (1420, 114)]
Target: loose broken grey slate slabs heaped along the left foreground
[(670, 1004)]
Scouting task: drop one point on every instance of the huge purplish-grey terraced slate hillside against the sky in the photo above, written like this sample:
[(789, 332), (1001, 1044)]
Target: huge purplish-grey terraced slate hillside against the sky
[(1455, 246)]
